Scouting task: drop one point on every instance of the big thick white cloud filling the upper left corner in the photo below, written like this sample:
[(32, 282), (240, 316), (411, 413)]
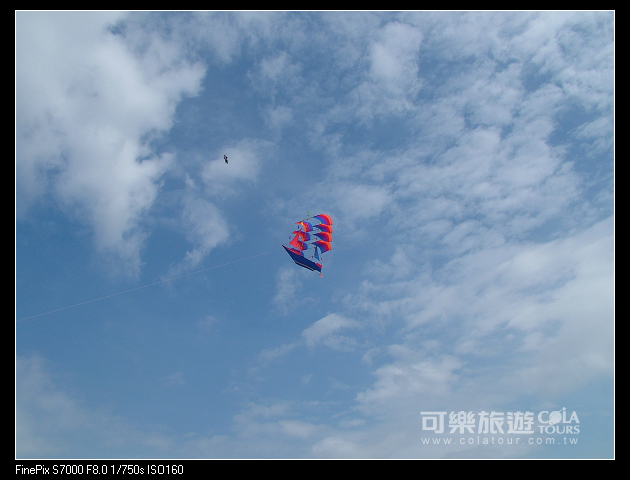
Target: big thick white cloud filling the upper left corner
[(87, 102)]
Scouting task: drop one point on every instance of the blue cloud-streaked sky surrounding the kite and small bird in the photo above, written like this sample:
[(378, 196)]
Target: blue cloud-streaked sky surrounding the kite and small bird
[(467, 162)]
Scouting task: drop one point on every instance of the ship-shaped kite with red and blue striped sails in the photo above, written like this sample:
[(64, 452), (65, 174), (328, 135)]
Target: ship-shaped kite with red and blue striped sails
[(312, 238)]
